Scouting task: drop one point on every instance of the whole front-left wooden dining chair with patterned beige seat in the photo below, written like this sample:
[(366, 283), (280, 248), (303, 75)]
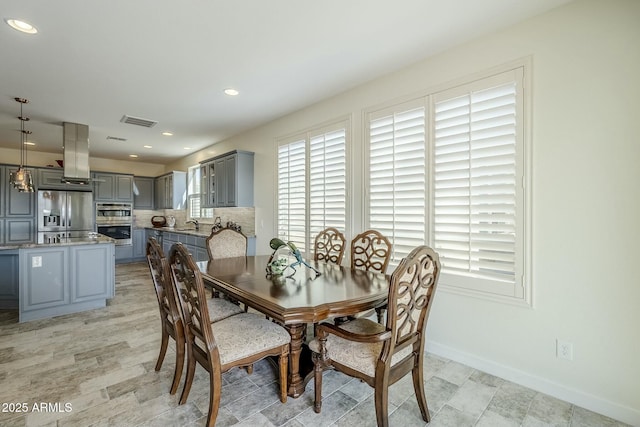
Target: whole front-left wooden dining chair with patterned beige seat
[(236, 341)]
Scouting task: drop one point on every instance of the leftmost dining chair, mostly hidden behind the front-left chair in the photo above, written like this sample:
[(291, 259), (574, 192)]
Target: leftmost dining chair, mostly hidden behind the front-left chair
[(171, 321)]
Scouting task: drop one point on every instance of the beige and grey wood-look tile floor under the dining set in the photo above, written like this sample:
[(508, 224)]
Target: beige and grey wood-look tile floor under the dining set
[(97, 369)]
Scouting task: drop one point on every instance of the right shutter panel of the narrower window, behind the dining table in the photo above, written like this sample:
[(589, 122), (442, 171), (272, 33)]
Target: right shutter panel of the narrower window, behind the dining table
[(327, 181)]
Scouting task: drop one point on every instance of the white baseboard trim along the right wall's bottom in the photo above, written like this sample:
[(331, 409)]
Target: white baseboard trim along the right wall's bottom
[(585, 400)]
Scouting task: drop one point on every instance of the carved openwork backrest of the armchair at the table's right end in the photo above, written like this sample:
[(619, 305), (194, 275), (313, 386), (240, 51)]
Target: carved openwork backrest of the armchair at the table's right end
[(411, 290)]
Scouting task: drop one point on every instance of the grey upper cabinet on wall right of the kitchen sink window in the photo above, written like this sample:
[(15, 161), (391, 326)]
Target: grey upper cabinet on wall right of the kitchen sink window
[(227, 180)]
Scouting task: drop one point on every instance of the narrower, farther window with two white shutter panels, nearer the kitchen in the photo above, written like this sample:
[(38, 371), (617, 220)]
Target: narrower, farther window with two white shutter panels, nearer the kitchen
[(312, 184)]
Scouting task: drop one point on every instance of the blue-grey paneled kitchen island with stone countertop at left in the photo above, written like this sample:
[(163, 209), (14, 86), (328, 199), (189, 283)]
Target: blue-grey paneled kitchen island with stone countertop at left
[(68, 276)]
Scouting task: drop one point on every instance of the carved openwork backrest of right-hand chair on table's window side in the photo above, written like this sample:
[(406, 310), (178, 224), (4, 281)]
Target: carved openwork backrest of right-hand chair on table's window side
[(370, 251)]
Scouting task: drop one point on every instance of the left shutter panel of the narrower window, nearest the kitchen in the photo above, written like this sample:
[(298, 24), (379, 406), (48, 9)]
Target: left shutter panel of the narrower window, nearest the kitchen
[(291, 192)]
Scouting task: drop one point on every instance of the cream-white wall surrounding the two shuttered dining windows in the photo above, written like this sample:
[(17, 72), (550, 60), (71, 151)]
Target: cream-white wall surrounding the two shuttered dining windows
[(585, 207)]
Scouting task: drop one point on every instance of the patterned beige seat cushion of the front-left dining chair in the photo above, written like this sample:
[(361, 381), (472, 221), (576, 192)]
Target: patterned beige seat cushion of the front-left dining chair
[(246, 334)]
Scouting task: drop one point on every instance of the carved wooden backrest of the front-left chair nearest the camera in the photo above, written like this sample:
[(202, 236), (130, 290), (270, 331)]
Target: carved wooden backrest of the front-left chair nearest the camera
[(188, 283)]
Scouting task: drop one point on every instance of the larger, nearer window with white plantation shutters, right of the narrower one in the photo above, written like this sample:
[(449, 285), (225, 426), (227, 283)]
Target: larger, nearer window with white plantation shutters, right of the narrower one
[(447, 169)]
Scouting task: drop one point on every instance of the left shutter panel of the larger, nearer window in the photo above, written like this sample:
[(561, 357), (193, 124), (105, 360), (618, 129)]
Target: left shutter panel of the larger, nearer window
[(397, 176)]
